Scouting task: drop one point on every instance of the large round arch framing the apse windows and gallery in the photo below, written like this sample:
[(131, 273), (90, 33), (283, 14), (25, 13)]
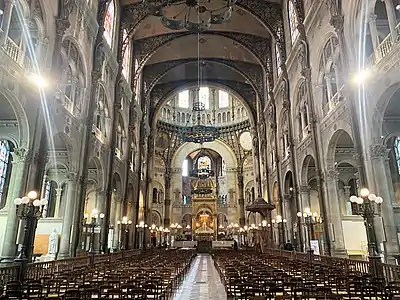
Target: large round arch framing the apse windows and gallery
[(164, 99)]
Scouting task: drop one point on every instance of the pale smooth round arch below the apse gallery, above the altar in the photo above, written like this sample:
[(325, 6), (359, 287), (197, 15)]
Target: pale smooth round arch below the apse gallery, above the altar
[(217, 145)]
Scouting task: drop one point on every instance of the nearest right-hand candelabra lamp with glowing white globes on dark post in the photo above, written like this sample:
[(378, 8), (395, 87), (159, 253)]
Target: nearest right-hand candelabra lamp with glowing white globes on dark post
[(369, 205)]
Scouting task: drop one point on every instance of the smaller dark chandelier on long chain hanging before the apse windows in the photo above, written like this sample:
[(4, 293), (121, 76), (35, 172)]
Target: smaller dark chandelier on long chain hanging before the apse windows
[(199, 132)]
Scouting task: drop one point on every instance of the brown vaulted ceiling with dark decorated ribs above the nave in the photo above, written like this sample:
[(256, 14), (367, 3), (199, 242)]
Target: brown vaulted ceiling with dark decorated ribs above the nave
[(236, 54)]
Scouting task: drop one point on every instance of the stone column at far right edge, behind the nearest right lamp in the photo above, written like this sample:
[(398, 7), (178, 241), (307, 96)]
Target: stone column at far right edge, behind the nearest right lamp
[(380, 163)]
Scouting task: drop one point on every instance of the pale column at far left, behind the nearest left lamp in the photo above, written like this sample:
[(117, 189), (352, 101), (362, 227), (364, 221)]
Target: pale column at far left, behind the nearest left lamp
[(20, 160)]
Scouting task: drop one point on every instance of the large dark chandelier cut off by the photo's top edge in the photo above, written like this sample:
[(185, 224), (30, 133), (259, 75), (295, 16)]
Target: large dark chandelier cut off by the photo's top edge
[(193, 15)]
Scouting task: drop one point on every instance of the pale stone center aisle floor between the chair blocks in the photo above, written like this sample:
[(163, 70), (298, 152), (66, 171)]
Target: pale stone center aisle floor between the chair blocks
[(202, 282)]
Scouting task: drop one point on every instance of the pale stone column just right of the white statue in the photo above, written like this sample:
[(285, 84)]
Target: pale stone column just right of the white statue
[(68, 216)]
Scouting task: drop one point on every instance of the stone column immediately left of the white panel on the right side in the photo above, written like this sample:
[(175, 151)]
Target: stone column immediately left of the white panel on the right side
[(333, 213)]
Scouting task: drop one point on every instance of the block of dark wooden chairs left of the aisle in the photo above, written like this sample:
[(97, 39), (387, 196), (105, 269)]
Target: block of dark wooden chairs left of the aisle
[(154, 275)]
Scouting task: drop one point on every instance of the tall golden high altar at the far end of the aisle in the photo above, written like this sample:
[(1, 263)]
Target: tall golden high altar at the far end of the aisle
[(204, 208)]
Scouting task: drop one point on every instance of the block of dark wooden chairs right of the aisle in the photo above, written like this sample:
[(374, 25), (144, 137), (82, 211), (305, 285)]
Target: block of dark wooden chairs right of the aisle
[(250, 275)]
